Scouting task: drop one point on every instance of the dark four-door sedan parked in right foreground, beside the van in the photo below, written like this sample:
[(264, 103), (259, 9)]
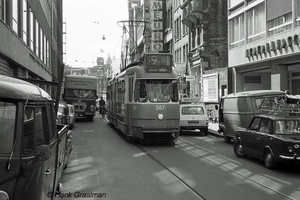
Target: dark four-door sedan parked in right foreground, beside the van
[(270, 137)]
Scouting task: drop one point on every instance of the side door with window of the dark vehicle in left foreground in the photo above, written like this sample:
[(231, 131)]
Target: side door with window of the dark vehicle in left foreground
[(38, 174)]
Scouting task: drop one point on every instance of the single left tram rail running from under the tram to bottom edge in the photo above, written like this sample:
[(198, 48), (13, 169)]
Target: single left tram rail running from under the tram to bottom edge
[(139, 146)]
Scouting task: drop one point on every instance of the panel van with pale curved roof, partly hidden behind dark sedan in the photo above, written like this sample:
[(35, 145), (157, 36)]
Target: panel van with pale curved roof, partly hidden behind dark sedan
[(238, 109)]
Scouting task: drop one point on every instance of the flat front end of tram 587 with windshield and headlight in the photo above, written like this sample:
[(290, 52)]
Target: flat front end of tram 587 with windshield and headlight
[(155, 112)]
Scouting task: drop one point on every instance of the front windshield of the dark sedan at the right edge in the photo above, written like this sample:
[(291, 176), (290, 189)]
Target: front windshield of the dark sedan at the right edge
[(287, 127)]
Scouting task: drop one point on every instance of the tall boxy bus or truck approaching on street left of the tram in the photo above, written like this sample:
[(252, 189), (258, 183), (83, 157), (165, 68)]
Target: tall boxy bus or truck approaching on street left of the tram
[(81, 92)]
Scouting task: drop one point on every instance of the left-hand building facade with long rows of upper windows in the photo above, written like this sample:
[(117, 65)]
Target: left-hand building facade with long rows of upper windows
[(31, 39)]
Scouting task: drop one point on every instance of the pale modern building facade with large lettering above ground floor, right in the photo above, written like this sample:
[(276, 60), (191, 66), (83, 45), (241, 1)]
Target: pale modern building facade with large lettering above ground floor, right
[(264, 45)]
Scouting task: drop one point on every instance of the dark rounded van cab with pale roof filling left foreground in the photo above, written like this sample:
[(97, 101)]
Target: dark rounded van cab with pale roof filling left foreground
[(29, 142)]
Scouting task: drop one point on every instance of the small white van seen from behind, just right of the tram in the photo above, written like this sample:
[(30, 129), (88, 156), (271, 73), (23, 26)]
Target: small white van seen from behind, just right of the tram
[(193, 116)]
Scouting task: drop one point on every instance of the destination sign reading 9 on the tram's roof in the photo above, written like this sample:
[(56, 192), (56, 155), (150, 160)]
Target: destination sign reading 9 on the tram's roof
[(158, 63)]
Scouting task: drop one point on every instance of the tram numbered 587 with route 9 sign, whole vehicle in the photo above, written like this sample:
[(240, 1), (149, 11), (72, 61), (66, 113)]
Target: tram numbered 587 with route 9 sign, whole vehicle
[(143, 100)]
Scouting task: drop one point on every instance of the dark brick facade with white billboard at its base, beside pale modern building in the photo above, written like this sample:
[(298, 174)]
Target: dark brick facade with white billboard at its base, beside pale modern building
[(206, 50)]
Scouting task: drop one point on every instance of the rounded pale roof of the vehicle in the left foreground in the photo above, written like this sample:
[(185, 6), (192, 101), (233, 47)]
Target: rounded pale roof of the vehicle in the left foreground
[(13, 88)]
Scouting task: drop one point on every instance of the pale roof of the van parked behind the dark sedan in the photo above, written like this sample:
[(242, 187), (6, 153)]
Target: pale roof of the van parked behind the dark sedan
[(254, 93)]
